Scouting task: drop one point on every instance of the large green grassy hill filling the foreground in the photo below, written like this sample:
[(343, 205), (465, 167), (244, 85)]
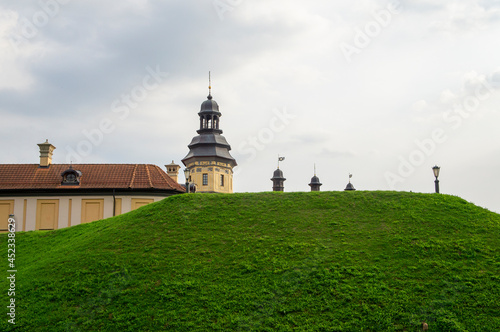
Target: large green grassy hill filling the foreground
[(329, 261)]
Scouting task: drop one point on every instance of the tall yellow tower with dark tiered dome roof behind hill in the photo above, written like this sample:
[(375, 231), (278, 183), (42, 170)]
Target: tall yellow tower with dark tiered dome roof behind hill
[(210, 164)]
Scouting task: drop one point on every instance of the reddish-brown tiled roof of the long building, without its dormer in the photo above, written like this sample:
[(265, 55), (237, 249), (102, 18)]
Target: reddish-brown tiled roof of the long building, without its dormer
[(94, 176)]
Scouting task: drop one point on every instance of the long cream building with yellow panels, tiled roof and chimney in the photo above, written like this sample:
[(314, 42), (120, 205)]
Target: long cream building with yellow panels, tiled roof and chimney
[(48, 196)]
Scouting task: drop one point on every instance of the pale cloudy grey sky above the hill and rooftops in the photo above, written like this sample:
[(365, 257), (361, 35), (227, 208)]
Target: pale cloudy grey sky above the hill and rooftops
[(380, 89)]
